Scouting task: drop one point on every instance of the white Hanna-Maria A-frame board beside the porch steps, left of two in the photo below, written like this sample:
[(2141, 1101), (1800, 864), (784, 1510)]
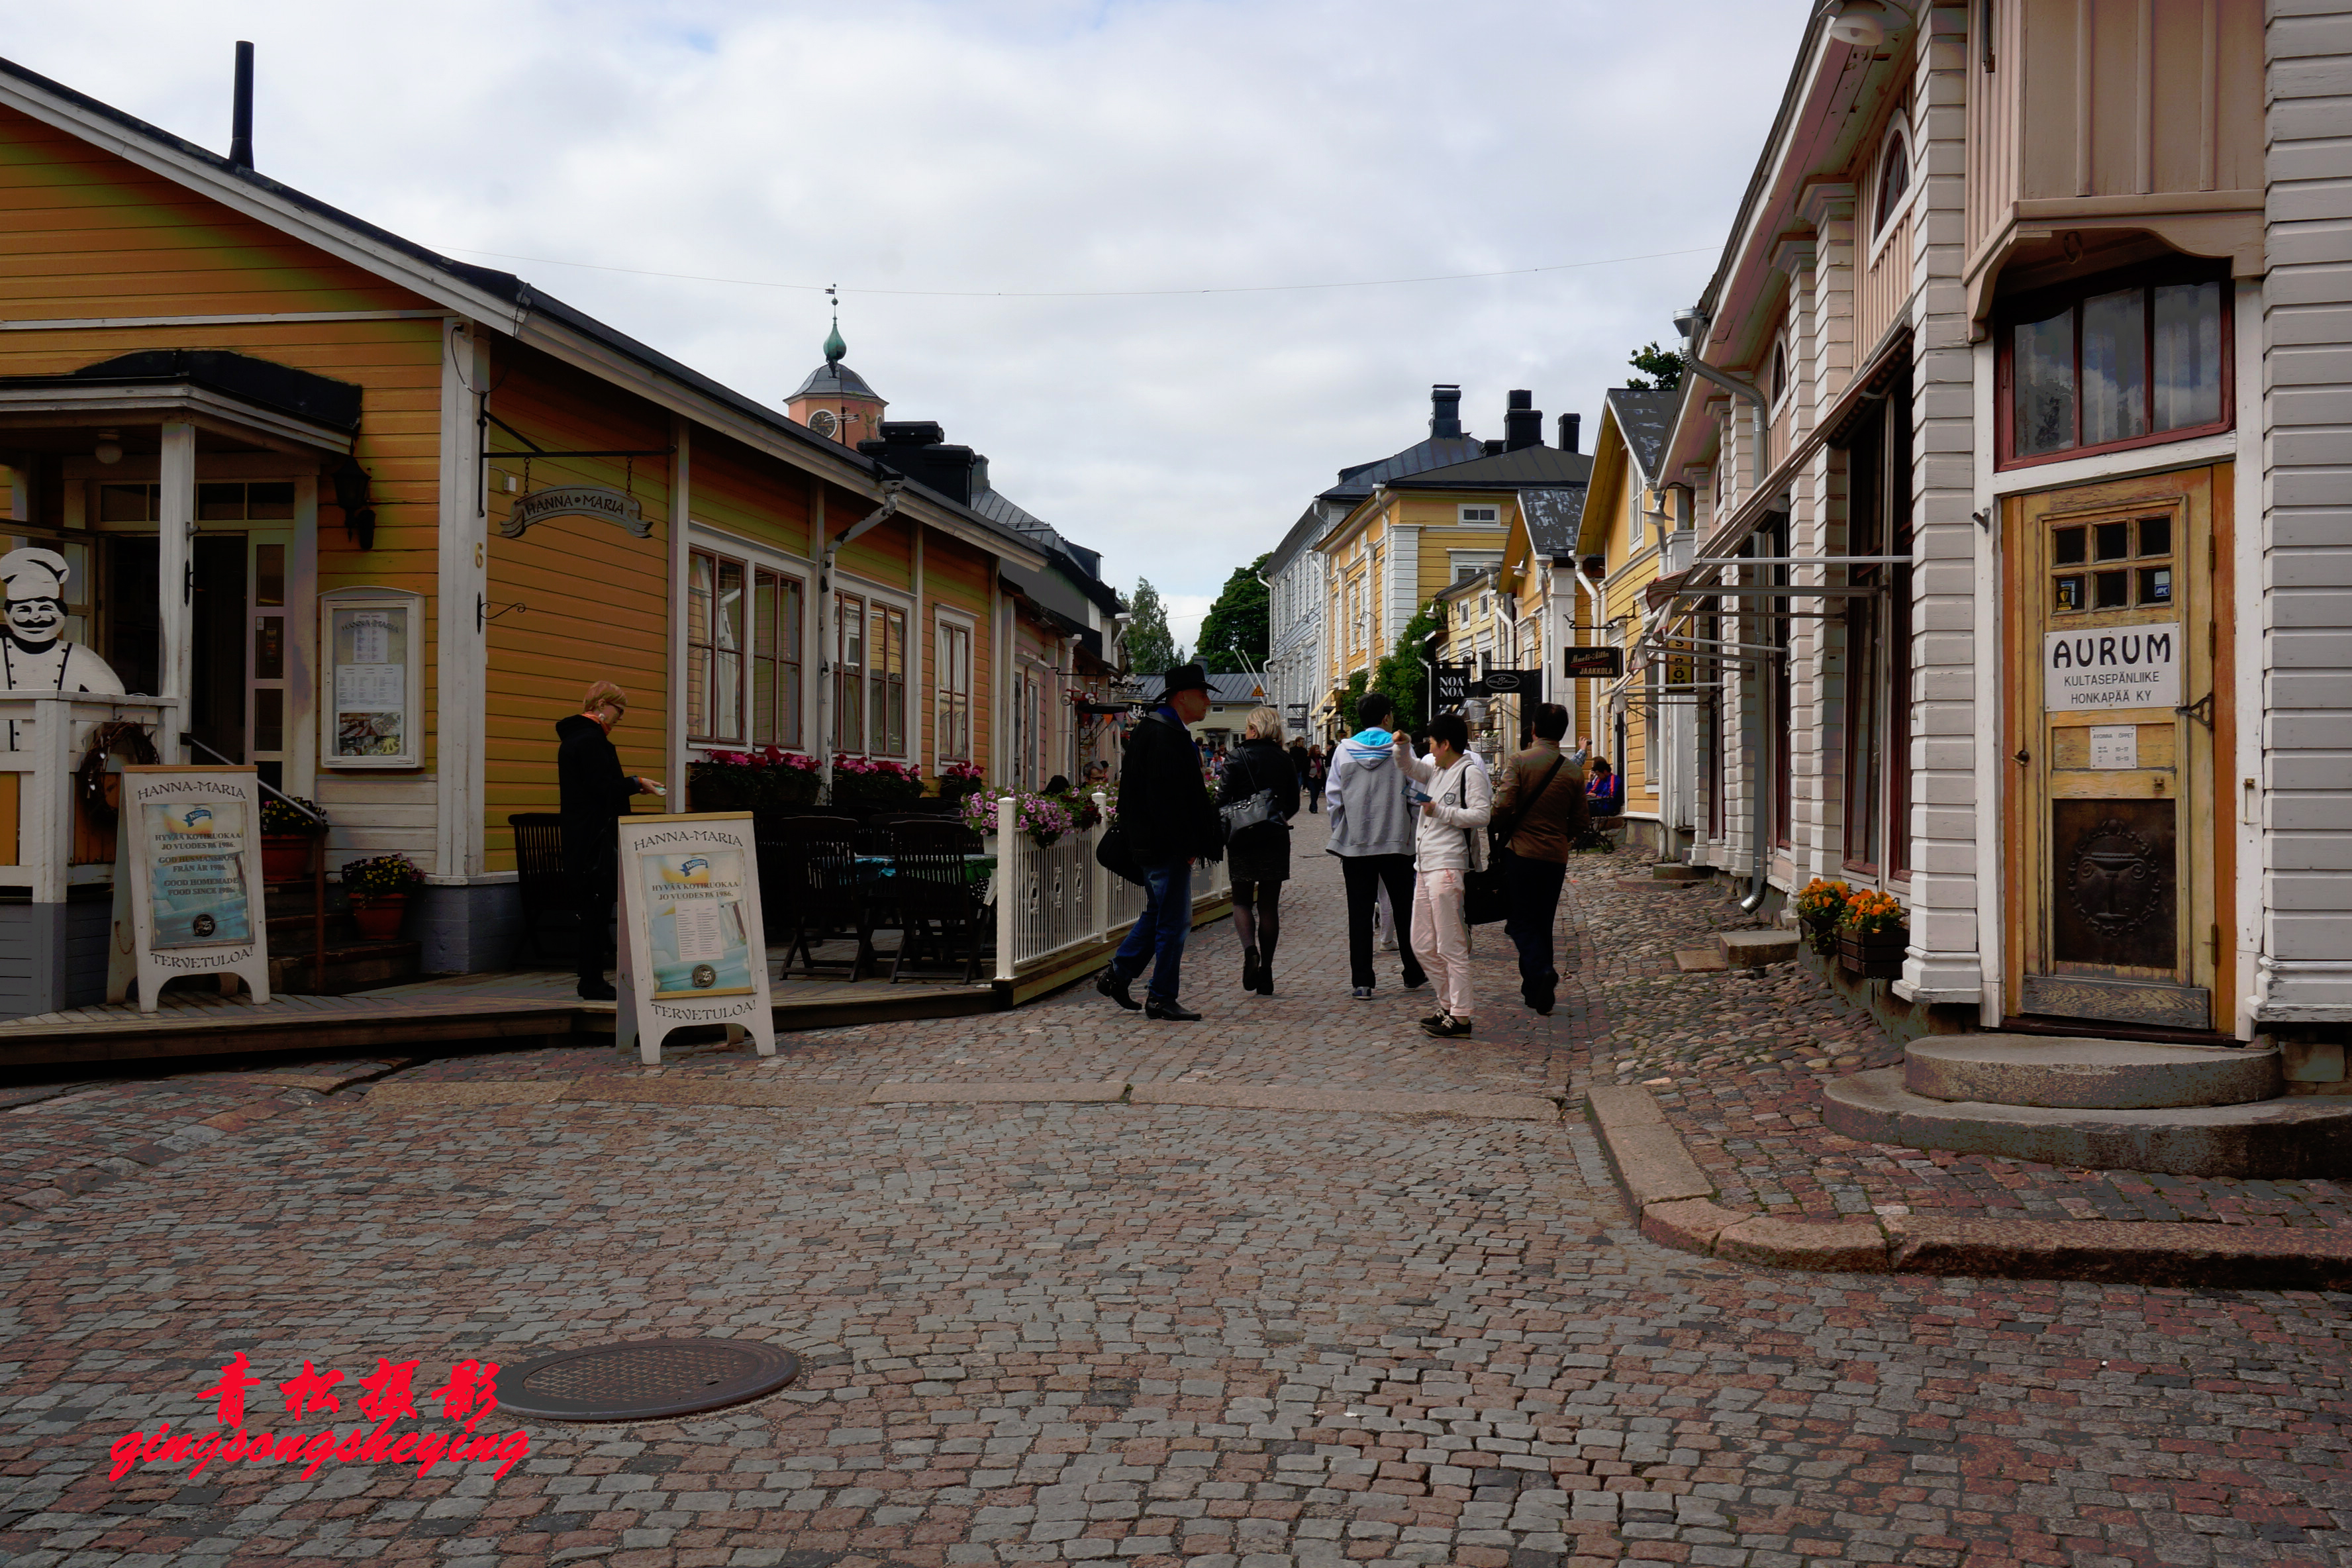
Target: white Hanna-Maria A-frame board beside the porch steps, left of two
[(194, 878)]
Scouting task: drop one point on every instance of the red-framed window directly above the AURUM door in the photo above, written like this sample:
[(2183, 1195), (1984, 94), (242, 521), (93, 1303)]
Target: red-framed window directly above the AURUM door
[(2113, 368)]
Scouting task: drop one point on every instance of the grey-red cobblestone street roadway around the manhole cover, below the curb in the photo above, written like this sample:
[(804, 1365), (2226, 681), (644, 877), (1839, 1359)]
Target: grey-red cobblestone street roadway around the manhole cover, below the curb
[(1125, 1334)]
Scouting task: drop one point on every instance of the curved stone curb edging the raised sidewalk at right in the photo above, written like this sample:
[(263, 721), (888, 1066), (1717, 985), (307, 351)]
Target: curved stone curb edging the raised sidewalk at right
[(1678, 1209)]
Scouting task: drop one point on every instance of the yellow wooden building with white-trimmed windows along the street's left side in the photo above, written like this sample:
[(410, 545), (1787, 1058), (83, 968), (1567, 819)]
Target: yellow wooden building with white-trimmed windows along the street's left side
[(370, 521)]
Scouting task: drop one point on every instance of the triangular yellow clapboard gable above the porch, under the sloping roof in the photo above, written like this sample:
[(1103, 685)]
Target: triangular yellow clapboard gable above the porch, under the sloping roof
[(91, 234)]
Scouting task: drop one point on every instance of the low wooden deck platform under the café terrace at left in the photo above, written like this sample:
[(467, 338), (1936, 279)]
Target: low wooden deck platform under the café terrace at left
[(453, 1010)]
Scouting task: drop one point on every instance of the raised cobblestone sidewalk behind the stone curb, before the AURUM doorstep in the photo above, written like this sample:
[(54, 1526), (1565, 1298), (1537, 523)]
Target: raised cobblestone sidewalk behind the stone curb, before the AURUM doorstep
[(1737, 1061)]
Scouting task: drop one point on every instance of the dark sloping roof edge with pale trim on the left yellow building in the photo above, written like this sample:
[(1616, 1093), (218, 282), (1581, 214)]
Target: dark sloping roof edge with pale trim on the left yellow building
[(488, 295)]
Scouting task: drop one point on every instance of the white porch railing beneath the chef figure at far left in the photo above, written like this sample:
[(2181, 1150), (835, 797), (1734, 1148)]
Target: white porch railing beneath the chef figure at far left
[(41, 746)]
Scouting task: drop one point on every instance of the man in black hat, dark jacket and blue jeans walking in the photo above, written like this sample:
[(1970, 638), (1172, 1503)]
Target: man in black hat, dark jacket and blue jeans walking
[(1168, 822)]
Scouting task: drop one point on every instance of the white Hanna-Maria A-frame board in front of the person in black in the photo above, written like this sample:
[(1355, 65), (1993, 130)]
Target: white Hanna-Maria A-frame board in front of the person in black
[(693, 949)]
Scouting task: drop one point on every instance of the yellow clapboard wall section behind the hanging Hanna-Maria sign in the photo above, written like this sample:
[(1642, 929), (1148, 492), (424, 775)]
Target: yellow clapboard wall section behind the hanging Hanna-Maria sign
[(596, 596)]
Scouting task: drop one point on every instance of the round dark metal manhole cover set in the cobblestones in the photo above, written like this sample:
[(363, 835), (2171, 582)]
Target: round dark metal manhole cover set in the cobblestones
[(646, 1379)]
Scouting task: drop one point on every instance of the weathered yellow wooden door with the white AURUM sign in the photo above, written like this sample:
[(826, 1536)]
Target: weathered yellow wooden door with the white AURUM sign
[(2118, 876)]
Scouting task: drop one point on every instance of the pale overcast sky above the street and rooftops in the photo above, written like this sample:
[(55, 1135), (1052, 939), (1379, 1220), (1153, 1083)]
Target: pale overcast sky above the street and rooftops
[(1036, 152)]
